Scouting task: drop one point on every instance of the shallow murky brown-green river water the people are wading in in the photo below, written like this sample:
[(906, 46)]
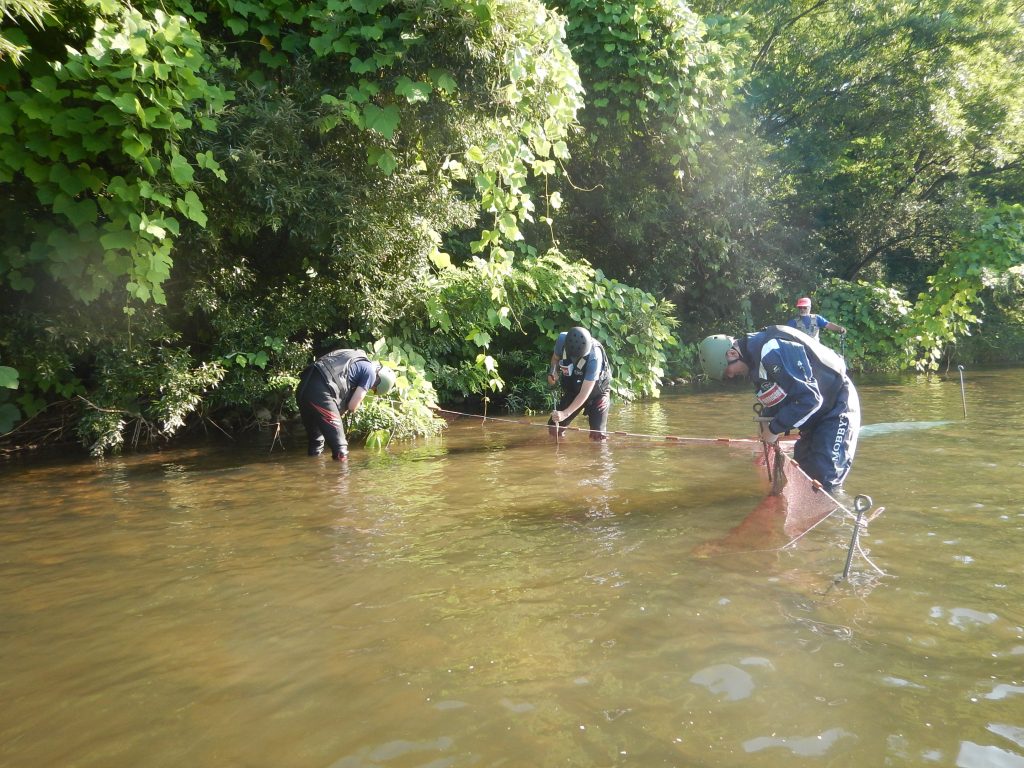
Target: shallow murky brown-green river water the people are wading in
[(493, 599)]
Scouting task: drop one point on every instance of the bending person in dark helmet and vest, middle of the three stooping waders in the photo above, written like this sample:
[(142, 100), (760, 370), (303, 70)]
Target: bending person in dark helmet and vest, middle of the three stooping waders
[(582, 366)]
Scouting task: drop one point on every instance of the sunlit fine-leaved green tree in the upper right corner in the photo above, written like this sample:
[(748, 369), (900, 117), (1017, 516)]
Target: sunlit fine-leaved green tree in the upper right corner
[(891, 120)]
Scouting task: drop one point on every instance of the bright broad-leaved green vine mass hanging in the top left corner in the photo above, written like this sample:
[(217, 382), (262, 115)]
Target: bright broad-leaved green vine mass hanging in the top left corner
[(91, 137)]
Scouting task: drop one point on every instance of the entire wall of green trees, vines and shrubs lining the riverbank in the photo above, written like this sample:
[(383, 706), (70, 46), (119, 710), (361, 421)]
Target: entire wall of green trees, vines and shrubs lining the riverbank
[(200, 198)]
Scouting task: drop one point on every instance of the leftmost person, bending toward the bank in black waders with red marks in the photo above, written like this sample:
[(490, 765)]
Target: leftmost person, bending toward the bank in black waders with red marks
[(335, 382)]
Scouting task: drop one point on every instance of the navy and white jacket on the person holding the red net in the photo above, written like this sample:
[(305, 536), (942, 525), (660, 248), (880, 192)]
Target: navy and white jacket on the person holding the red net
[(799, 380)]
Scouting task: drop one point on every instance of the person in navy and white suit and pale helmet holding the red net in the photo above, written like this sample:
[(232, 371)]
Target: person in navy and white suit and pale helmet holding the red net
[(801, 385)]
